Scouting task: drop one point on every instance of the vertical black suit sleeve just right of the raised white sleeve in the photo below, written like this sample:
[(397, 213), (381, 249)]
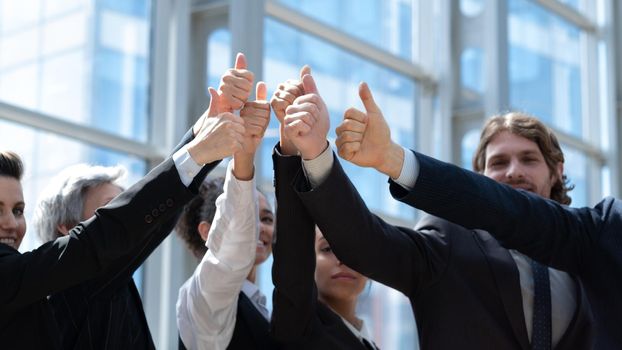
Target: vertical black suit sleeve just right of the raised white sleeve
[(293, 268)]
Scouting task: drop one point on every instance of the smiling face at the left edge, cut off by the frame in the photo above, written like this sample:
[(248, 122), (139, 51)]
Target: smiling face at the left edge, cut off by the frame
[(12, 221)]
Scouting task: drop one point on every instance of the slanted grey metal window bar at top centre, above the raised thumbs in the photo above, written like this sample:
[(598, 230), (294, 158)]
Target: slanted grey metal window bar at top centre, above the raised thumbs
[(347, 42)]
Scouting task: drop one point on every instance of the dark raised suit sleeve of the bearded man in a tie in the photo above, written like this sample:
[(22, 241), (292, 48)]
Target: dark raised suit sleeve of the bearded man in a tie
[(398, 257)]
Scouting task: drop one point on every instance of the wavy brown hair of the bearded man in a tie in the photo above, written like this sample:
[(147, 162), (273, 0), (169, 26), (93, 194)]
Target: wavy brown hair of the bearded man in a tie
[(531, 128)]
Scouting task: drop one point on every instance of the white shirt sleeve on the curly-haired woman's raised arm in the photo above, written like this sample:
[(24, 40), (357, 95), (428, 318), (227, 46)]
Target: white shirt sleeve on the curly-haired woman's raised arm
[(207, 302)]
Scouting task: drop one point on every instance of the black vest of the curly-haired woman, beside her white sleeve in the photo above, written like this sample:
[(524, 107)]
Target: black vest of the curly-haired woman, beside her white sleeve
[(251, 329)]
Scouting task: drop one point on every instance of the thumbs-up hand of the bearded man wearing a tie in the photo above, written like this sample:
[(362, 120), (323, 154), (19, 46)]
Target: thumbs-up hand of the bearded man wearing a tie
[(306, 121)]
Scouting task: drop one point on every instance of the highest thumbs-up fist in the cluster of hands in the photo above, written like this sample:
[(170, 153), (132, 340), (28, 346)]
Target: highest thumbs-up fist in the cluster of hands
[(235, 85)]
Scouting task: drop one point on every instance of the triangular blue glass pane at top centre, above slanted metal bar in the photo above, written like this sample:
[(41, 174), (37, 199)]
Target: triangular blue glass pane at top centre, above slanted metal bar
[(384, 23)]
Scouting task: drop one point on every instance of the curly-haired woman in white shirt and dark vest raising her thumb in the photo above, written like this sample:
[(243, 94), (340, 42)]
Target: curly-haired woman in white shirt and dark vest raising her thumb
[(220, 306)]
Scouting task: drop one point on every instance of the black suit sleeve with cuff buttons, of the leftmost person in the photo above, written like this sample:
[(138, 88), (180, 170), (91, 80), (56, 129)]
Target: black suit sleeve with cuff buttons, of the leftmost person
[(96, 244)]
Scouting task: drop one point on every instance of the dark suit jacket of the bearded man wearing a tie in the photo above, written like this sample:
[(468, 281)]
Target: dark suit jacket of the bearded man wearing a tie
[(463, 287)]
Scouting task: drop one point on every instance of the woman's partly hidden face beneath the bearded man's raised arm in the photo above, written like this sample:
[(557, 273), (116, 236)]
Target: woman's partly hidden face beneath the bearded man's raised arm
[(335, 281)]
